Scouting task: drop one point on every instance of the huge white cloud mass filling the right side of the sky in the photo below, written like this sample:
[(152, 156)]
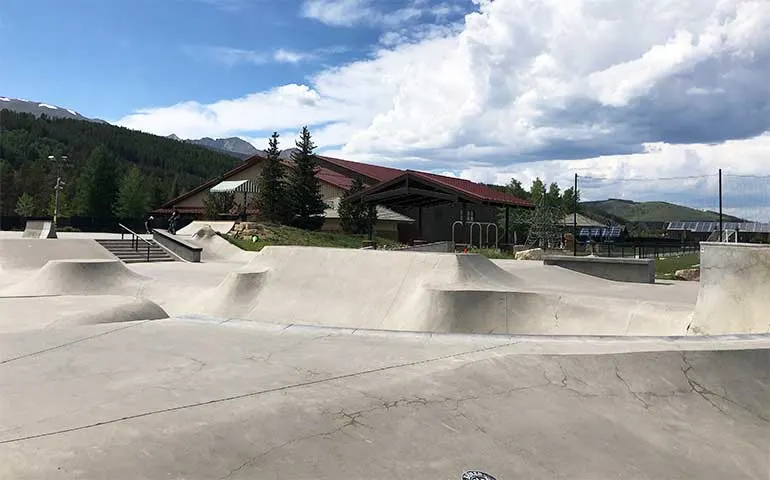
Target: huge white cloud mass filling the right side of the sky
[(617, 87)]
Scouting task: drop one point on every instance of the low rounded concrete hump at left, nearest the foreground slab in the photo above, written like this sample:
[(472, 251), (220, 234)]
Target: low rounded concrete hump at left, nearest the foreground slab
[(32, 313)]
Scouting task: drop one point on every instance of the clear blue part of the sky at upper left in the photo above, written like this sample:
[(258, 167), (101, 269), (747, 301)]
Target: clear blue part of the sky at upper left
[(107, 57)]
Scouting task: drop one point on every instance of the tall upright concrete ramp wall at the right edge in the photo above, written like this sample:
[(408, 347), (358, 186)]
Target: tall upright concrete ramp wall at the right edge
[(733, 292)]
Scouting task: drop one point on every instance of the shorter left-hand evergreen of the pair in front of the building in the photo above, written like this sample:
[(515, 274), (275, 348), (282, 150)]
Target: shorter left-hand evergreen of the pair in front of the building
[(272, 198)]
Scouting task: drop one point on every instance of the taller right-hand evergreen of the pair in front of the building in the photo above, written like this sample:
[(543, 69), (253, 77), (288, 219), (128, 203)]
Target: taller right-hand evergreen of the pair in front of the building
[(306, 201)]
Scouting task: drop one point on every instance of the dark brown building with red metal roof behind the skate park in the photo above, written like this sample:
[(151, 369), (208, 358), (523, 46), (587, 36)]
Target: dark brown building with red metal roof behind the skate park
[(437, 202)]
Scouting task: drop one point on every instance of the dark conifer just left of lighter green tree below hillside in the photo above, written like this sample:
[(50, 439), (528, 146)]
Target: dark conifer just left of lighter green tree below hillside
[(97, 185)]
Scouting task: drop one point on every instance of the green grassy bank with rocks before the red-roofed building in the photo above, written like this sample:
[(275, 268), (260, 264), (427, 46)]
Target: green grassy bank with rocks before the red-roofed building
[(282, 235)]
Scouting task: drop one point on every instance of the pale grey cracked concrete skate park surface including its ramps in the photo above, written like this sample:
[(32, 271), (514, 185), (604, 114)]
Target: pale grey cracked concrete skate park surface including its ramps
[(312, 363)]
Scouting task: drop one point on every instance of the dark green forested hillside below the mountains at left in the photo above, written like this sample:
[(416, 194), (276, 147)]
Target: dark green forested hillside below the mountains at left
[(111, 171)]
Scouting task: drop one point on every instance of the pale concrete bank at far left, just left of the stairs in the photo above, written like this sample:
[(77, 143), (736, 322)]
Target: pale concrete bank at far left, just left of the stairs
[(17, 253)]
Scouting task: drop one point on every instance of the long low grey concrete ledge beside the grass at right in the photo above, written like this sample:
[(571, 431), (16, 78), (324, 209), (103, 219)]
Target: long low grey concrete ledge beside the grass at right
[(632, 270)]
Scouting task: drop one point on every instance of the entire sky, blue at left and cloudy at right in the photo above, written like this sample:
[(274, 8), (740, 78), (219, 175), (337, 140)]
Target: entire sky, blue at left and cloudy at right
[(482, 89)]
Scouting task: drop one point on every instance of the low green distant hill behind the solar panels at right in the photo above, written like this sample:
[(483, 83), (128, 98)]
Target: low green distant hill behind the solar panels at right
[(627, 211)]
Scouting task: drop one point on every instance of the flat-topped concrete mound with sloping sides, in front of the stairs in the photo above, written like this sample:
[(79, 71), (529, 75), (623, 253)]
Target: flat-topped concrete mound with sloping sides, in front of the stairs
[(79, 277)]
